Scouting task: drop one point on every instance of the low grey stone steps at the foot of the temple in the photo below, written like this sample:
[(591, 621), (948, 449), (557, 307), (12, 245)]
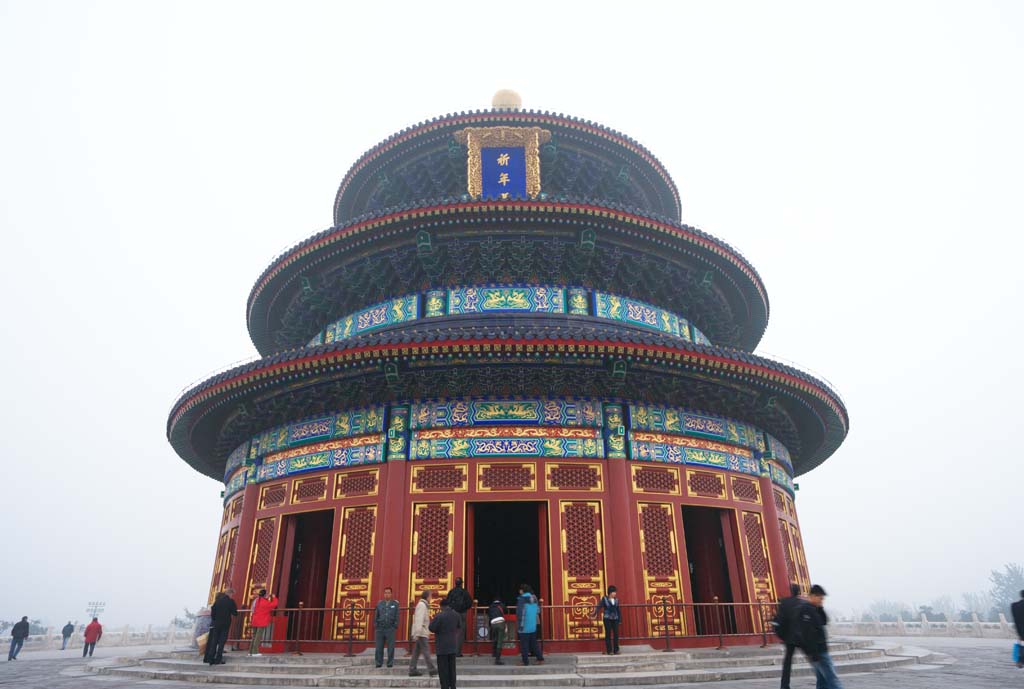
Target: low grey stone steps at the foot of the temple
[(634, 667)]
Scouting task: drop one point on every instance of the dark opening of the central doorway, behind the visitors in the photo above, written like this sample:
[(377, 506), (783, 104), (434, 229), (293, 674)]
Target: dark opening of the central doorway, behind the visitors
[(506, 550)]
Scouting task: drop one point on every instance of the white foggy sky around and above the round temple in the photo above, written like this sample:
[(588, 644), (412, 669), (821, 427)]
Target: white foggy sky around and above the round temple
[(156, 157)]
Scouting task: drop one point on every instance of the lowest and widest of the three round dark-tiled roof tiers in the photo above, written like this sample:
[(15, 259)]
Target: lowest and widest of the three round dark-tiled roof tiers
[(211, 420)]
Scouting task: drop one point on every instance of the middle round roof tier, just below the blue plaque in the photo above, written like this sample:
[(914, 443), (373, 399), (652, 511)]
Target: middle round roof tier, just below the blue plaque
[(566, 243)]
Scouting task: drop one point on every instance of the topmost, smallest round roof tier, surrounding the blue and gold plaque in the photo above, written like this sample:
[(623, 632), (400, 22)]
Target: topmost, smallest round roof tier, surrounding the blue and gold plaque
[(579, 158)]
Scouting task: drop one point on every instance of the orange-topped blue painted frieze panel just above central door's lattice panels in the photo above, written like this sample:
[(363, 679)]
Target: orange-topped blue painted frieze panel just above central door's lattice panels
[(451, 444)]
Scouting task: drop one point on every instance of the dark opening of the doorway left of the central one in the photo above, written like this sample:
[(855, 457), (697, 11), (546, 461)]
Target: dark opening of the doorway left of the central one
[(309, 562)]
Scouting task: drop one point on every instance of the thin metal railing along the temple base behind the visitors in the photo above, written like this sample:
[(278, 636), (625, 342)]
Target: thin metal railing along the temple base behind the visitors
[(664, 625)]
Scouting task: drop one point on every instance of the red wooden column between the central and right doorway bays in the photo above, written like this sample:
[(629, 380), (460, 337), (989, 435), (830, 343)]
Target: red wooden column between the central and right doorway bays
[(622, 555)]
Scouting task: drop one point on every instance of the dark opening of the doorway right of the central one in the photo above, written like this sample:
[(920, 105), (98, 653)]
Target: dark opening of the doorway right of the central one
[(708, 547)]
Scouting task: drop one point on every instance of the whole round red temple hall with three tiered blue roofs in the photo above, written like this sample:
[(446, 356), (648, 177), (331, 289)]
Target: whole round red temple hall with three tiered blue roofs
[(508, 361)]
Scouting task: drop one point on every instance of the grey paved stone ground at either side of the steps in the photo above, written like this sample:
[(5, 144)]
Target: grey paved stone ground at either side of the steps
[(982, 664)]
